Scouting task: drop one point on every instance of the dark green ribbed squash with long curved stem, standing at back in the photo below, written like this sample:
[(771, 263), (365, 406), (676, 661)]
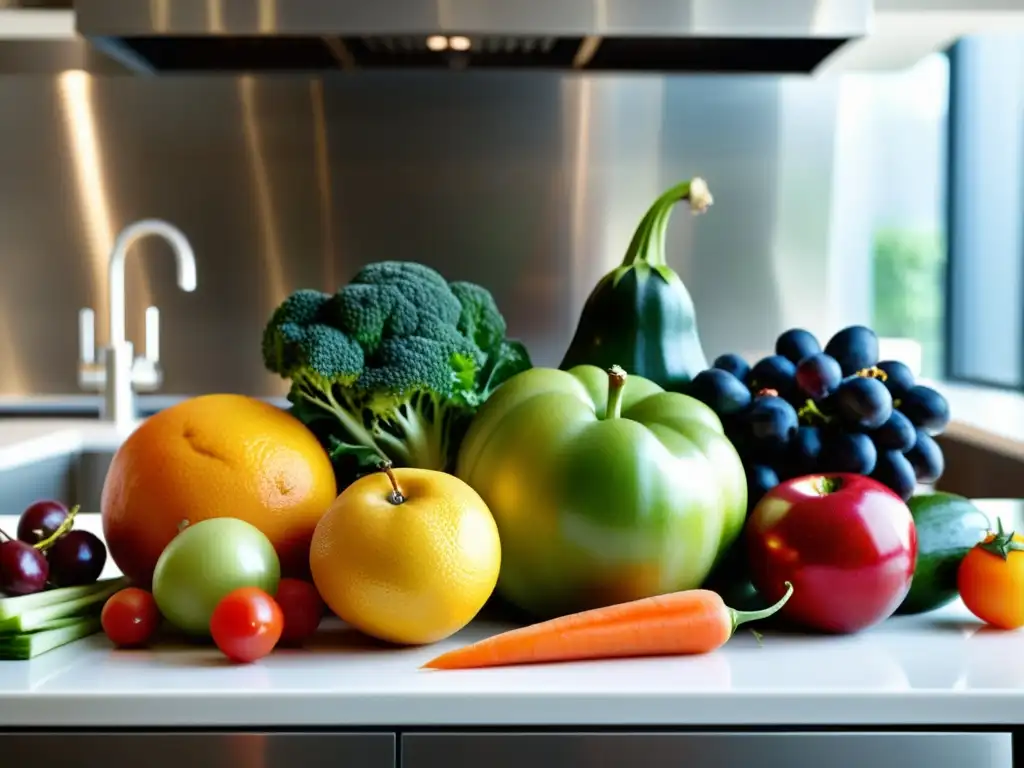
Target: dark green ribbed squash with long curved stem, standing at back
[(641, 316)]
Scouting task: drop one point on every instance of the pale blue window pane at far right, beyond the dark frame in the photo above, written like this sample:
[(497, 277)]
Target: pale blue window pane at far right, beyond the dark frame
[(986, 309)]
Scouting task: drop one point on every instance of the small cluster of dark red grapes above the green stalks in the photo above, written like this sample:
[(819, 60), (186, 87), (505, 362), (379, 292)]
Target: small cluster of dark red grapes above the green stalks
[(49, 552)]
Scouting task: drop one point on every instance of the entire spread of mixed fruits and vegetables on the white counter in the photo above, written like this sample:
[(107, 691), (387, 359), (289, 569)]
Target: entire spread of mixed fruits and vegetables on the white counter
[(602, 496)]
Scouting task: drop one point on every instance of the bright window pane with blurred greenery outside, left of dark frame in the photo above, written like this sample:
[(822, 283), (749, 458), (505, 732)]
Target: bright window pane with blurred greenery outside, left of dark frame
[(891, 169)]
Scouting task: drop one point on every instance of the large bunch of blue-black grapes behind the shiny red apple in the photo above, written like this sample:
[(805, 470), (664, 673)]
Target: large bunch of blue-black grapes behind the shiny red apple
[(806, 410)]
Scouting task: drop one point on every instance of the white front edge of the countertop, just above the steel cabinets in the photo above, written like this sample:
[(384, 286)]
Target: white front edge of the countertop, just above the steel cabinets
[(498, 710)]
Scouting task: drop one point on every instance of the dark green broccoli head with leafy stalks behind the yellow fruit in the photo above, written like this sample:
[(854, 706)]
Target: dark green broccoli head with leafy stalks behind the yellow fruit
[(392, 367)]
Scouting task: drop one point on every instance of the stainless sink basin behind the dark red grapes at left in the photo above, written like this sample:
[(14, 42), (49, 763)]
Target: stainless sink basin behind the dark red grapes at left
[(76, 479)]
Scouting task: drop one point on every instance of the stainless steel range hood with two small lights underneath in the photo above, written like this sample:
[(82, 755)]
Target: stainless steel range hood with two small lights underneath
[(667, 36)]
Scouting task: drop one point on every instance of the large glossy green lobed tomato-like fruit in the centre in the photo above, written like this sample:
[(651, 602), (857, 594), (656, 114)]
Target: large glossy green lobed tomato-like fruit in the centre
[(606, 488)]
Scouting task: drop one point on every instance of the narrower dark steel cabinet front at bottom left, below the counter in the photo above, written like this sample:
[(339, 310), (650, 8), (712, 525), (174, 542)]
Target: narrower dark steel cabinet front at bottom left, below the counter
[(198, 750)]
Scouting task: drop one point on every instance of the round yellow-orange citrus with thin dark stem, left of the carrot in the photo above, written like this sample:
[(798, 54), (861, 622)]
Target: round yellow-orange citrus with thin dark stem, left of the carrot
[(410, 571)]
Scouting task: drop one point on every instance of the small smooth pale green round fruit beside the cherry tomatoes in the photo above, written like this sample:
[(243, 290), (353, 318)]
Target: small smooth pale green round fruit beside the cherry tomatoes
[(204, 564)]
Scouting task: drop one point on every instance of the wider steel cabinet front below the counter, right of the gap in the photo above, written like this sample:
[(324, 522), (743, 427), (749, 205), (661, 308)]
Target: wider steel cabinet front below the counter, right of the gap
[(707, 750)]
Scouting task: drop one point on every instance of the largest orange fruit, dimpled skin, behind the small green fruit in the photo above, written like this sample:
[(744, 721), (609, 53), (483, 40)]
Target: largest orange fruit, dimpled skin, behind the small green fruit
[(216, 456)]
